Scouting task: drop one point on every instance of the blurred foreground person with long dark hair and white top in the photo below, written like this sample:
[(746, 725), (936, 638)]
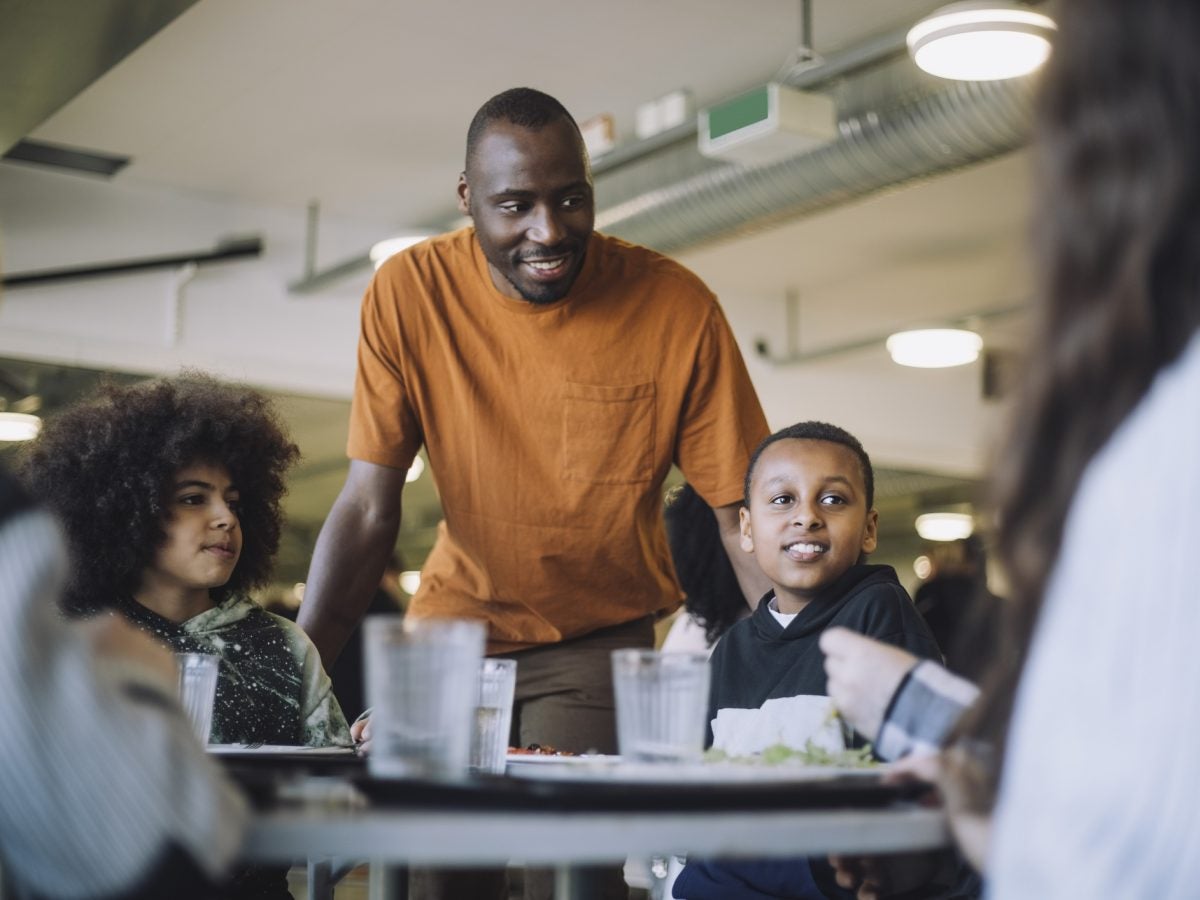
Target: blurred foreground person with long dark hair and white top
[(1075, 775)]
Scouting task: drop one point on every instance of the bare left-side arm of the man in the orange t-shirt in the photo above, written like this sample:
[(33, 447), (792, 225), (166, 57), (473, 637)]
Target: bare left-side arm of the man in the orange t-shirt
[(351, 555)]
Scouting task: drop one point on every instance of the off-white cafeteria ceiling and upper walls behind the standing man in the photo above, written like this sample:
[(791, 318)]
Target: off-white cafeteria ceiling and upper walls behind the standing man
[(238, 117)]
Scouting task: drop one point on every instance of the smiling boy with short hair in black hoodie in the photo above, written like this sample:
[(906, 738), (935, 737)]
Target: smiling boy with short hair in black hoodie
[(809, 519)]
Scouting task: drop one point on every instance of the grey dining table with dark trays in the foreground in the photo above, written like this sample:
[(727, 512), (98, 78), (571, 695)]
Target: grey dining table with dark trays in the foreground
[(329, 812)]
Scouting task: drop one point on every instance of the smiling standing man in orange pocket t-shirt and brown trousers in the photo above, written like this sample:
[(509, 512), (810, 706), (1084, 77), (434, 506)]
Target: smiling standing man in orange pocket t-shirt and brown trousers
[(554, 375)]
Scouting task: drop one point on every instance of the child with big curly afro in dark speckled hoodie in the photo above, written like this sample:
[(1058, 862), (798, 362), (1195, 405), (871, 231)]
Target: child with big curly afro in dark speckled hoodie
[(170, 496)]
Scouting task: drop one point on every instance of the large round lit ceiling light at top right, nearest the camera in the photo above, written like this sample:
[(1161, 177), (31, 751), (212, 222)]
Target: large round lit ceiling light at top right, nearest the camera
[(977, 41)]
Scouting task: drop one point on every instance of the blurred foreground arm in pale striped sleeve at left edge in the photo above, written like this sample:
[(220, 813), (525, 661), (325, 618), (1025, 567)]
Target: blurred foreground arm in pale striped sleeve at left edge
[(104, 788)]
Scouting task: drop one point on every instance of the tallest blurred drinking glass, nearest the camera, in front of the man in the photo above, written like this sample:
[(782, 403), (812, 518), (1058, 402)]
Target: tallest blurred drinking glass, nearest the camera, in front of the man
[(423, 686)]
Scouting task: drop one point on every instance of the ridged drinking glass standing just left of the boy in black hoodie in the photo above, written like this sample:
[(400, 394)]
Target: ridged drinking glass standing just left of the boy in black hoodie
[(662, 705)]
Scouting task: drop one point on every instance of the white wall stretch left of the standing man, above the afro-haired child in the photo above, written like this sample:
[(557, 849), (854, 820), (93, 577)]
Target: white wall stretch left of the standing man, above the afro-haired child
[(235, 319)]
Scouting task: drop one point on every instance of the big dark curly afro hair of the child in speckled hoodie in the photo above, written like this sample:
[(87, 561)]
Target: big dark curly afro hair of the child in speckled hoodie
[(107, 466)]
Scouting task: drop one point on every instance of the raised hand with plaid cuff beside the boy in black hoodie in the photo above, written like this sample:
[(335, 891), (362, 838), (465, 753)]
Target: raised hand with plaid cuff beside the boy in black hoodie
[(863, 675)]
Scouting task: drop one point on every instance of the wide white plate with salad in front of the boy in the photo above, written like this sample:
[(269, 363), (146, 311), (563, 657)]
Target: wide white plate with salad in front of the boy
[(717, 773)]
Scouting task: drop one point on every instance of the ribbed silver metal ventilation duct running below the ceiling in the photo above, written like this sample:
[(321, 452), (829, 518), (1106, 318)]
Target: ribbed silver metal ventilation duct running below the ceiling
[(896, 125)]
